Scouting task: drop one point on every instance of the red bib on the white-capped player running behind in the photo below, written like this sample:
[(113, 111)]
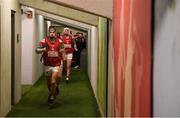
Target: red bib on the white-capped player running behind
[(68, 44)]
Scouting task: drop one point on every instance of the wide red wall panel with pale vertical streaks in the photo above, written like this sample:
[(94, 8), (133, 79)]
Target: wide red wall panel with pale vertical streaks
[(131, 41)]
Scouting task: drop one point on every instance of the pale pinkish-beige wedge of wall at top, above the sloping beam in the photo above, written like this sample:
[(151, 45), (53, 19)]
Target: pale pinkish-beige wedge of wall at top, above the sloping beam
[(100, 7)]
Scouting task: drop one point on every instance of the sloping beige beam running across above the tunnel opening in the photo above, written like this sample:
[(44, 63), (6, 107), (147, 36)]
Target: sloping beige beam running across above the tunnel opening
[(63, 11)]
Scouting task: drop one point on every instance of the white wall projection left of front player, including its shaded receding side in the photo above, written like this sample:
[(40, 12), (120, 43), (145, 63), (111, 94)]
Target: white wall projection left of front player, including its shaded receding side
[(33, 31)]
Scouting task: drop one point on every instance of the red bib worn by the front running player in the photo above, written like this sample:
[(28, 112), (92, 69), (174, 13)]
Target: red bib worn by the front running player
[(52, 56)]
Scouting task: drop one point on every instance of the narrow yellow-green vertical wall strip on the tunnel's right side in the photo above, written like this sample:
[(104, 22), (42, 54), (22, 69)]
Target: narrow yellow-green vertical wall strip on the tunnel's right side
[(102, 64)]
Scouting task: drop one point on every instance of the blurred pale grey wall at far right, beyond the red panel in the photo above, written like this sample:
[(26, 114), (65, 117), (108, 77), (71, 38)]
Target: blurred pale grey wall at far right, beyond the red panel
[(166, 59)]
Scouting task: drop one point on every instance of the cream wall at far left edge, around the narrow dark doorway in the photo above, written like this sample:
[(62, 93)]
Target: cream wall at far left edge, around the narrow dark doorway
[(5, 79)]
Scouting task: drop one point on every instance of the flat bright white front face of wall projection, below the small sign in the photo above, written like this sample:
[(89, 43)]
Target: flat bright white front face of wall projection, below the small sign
[(28, 36)]
